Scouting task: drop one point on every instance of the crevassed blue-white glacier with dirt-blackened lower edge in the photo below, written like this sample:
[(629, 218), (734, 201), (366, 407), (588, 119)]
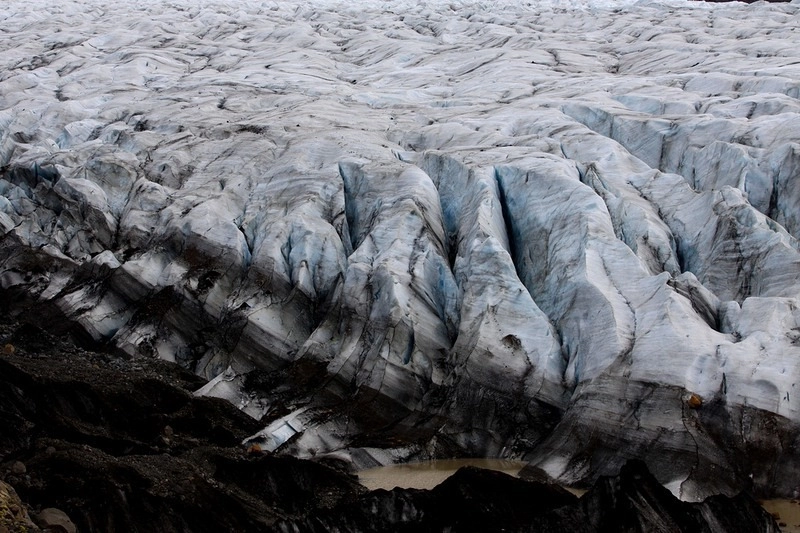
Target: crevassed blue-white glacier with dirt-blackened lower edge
[(559, 232)]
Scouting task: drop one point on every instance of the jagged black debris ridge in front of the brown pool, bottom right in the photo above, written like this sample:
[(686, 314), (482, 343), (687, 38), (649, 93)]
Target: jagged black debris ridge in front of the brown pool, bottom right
[(481, 500)]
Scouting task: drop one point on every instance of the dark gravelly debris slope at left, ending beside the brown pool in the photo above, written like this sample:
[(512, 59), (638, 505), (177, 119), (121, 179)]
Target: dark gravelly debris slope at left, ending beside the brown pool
[(122, 445)]
